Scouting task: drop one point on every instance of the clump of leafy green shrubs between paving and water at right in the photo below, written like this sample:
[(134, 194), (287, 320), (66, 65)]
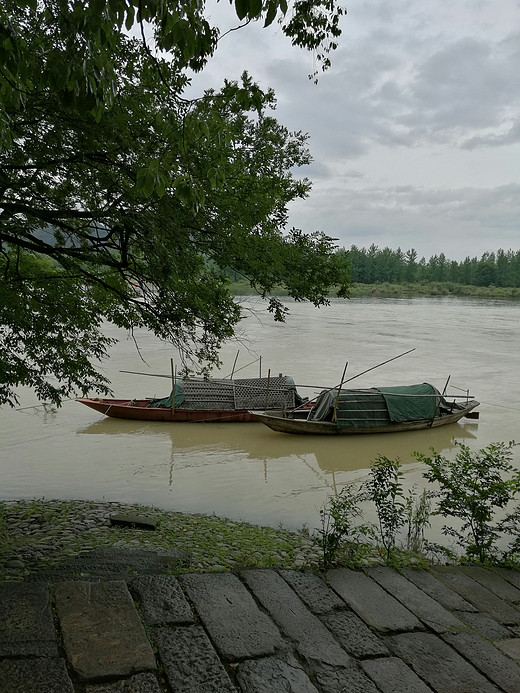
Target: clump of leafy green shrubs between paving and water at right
[(471, 489)]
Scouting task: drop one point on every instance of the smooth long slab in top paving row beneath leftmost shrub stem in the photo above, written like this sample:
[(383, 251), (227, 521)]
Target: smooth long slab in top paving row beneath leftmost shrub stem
[(372, 604)]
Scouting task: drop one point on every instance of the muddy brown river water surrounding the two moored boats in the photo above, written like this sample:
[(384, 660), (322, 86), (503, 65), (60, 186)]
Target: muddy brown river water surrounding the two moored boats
[(246, 471)]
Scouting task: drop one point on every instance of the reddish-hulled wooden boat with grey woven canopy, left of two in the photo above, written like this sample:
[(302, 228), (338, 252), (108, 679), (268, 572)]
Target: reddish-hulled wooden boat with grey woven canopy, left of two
[(217, 400)]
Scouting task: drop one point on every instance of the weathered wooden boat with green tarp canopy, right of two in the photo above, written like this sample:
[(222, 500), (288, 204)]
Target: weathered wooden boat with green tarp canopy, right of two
[(374, 410)]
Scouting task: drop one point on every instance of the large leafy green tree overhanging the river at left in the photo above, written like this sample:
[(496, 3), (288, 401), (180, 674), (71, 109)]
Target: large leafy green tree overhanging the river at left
[(120, 199)]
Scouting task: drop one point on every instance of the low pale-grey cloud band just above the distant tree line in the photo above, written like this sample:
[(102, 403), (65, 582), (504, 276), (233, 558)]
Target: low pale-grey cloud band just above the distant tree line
[(458, 222)]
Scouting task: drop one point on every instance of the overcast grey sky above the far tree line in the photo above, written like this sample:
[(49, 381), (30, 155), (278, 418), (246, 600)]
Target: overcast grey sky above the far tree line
[(414, 130)]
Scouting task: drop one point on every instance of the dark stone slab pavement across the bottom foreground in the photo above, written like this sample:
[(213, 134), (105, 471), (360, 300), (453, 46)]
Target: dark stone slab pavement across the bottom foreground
[(450, 630)]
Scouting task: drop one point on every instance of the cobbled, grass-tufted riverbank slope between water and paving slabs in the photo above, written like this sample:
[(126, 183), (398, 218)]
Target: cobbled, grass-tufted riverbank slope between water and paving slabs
[(37, 535)]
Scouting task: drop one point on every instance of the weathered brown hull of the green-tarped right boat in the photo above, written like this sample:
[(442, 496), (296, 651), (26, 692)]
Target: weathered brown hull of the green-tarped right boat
[(283, 424)]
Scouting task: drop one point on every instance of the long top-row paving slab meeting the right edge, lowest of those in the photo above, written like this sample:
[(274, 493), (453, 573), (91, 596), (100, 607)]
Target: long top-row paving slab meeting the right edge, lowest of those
[(478, 595)]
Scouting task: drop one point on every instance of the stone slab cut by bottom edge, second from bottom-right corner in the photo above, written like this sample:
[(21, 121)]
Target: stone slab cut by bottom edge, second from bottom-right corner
[(438, 664)]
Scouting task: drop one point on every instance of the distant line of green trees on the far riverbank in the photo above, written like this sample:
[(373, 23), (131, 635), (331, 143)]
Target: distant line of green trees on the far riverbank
[(376, 265)]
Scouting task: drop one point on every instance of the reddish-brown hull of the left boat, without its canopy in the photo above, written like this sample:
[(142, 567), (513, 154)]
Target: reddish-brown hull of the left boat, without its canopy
[(141, 411)]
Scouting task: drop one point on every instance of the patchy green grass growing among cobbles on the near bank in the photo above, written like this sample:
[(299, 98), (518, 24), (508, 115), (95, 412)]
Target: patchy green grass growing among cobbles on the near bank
[(214, 543)]
